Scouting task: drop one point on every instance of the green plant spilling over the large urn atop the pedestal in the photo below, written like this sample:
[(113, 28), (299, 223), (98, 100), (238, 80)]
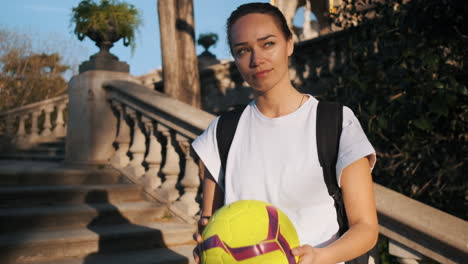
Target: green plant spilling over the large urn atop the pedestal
[(109, 15)]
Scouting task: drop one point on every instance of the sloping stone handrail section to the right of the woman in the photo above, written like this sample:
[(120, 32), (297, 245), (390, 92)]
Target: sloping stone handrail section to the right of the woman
[(421, 230)]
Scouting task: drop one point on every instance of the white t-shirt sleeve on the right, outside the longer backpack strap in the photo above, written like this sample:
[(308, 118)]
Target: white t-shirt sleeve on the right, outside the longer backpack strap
[(353, 144)]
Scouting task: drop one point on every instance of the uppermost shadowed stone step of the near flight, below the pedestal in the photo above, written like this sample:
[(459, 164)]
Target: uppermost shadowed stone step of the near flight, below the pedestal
[(42, 175)]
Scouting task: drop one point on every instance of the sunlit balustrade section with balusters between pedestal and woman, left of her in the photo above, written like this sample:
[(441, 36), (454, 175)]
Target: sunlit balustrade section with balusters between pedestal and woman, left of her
[(153, 143)]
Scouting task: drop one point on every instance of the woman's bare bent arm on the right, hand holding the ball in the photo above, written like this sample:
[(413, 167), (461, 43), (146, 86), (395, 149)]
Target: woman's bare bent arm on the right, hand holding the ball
[(358, 197)]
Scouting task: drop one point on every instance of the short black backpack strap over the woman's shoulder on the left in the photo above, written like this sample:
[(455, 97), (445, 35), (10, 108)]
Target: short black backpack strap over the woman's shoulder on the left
[(225, 131)]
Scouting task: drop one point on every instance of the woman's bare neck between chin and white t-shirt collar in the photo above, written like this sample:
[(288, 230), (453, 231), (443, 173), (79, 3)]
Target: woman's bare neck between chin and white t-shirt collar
[(280, 100)]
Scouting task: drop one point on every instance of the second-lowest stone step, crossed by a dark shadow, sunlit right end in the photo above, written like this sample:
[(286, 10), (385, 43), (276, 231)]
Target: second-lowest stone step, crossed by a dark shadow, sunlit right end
[(94, 243)]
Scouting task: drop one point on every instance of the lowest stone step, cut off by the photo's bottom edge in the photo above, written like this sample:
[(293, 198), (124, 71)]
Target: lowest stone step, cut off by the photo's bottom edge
[(173, 255)]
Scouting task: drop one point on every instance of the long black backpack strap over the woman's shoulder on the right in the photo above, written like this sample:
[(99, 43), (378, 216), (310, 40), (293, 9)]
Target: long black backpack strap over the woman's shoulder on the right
[(329, 126)]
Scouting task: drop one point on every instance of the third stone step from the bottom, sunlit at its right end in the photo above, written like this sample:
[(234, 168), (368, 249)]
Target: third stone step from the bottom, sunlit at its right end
[(81, 215)]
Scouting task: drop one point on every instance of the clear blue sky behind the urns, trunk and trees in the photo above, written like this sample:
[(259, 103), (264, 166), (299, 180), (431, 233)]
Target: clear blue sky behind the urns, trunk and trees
[(47, 22)]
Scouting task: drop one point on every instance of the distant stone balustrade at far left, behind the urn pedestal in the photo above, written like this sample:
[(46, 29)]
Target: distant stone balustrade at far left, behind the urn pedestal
[(35, 123)]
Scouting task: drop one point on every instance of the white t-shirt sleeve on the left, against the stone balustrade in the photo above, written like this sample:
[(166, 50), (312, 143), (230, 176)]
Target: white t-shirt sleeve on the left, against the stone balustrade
[(206, 147)]
